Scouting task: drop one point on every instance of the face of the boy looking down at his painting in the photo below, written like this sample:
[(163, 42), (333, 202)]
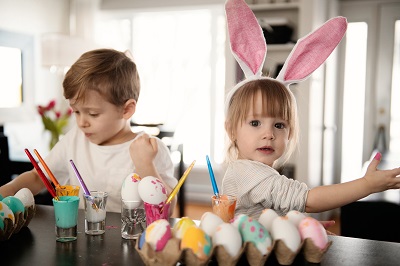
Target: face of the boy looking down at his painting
[(102, 122)]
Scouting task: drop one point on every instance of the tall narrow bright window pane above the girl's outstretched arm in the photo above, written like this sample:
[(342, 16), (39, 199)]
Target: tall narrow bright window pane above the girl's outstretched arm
[(353, 100)]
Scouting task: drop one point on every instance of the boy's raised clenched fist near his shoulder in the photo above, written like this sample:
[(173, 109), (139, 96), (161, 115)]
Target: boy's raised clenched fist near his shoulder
[(143, 150)]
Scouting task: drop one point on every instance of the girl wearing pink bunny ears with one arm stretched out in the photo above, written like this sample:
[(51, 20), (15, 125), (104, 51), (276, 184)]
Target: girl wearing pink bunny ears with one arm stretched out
[(262, 125)]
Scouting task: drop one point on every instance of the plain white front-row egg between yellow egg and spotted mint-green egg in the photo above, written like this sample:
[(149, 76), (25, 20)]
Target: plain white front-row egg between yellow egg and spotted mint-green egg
[(229, 237)]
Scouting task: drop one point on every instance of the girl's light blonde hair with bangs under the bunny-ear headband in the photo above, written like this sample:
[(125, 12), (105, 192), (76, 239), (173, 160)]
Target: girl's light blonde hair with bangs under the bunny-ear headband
[(278, 101)]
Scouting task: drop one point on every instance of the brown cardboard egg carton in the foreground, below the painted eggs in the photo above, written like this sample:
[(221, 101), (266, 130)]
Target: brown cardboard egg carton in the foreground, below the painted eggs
[(172, 254)]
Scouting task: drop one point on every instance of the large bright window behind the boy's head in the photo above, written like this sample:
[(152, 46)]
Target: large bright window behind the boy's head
[(181, 62)]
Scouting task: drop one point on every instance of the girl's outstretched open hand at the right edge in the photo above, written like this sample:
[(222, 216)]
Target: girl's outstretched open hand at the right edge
[(381, 180)]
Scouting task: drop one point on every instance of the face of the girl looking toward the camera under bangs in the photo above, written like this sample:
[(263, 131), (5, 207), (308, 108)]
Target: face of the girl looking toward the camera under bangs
[(261, 138)]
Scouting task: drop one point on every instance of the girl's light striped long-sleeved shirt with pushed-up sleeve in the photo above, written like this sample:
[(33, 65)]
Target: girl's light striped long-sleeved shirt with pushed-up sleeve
[(258, 187)]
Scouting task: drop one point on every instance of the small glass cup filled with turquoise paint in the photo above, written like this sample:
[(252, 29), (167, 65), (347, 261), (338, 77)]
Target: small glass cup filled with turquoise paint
[(66, 216)]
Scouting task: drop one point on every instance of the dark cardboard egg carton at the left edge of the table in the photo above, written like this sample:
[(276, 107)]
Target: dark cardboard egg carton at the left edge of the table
[(21, 220)]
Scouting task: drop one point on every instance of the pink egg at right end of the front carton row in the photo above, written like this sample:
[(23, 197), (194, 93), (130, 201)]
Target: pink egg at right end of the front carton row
[(313, 229)]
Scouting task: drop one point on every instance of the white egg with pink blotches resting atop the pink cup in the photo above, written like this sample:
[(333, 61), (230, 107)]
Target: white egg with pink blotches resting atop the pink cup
[(152, 190)]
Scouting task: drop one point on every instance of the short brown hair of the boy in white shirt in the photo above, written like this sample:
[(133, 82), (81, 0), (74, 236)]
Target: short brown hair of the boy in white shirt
[(109, 72)]
